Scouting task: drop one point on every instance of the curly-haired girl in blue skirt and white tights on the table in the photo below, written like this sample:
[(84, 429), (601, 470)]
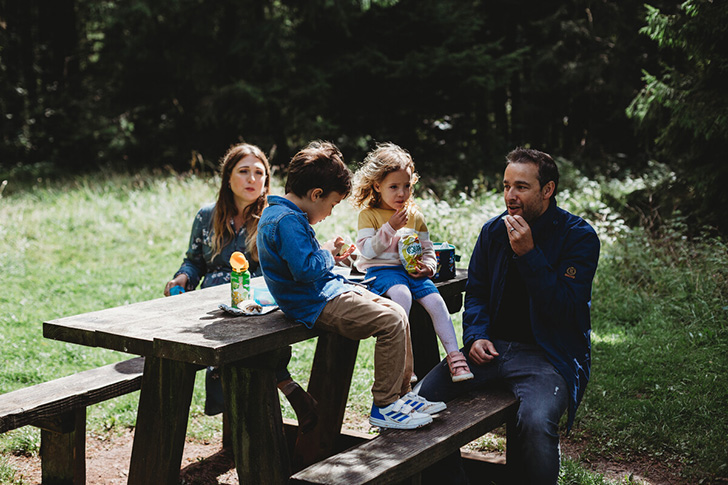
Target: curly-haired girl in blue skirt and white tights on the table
[(383, 187)]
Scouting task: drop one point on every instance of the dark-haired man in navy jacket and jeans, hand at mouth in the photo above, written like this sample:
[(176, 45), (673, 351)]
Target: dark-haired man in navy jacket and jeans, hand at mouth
[(526, 322)]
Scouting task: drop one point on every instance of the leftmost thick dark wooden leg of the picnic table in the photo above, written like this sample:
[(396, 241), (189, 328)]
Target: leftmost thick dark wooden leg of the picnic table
[(164, 406)]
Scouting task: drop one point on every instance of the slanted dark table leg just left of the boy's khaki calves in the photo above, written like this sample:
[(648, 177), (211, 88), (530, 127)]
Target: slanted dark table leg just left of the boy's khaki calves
[(331, 373)]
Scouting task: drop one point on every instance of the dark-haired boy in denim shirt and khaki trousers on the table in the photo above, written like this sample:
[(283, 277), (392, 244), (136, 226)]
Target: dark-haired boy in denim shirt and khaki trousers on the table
[(298, 272)]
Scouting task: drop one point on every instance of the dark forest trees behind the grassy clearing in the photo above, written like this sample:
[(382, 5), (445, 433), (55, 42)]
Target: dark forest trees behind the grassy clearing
[(612, 86)]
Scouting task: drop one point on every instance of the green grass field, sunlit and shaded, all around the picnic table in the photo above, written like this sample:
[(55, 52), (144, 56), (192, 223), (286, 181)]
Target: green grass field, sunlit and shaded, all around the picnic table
[(660, 309)]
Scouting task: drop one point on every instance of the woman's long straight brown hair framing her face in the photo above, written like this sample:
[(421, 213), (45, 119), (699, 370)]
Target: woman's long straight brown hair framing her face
[(225, 208)]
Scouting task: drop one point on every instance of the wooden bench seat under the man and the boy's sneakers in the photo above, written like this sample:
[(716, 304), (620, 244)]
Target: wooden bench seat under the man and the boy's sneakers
[(397, 455)]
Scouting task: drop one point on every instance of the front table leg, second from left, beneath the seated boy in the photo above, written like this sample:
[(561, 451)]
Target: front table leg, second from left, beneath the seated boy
[(256, 423)]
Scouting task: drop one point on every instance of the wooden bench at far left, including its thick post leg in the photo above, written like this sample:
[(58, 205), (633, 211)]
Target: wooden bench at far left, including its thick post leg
[(58, 408)]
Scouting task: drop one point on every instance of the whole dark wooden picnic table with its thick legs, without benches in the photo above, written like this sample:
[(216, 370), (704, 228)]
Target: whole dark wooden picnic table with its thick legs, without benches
[(181, 334)]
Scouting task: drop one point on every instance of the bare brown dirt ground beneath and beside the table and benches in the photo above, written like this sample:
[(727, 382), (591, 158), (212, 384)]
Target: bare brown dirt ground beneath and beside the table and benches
[(204, 463)]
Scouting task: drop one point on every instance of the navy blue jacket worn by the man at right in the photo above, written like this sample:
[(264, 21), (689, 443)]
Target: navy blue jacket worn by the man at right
[(558, 274)]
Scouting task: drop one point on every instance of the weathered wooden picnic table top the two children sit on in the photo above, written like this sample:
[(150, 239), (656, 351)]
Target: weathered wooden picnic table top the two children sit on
[(190, 327)]
